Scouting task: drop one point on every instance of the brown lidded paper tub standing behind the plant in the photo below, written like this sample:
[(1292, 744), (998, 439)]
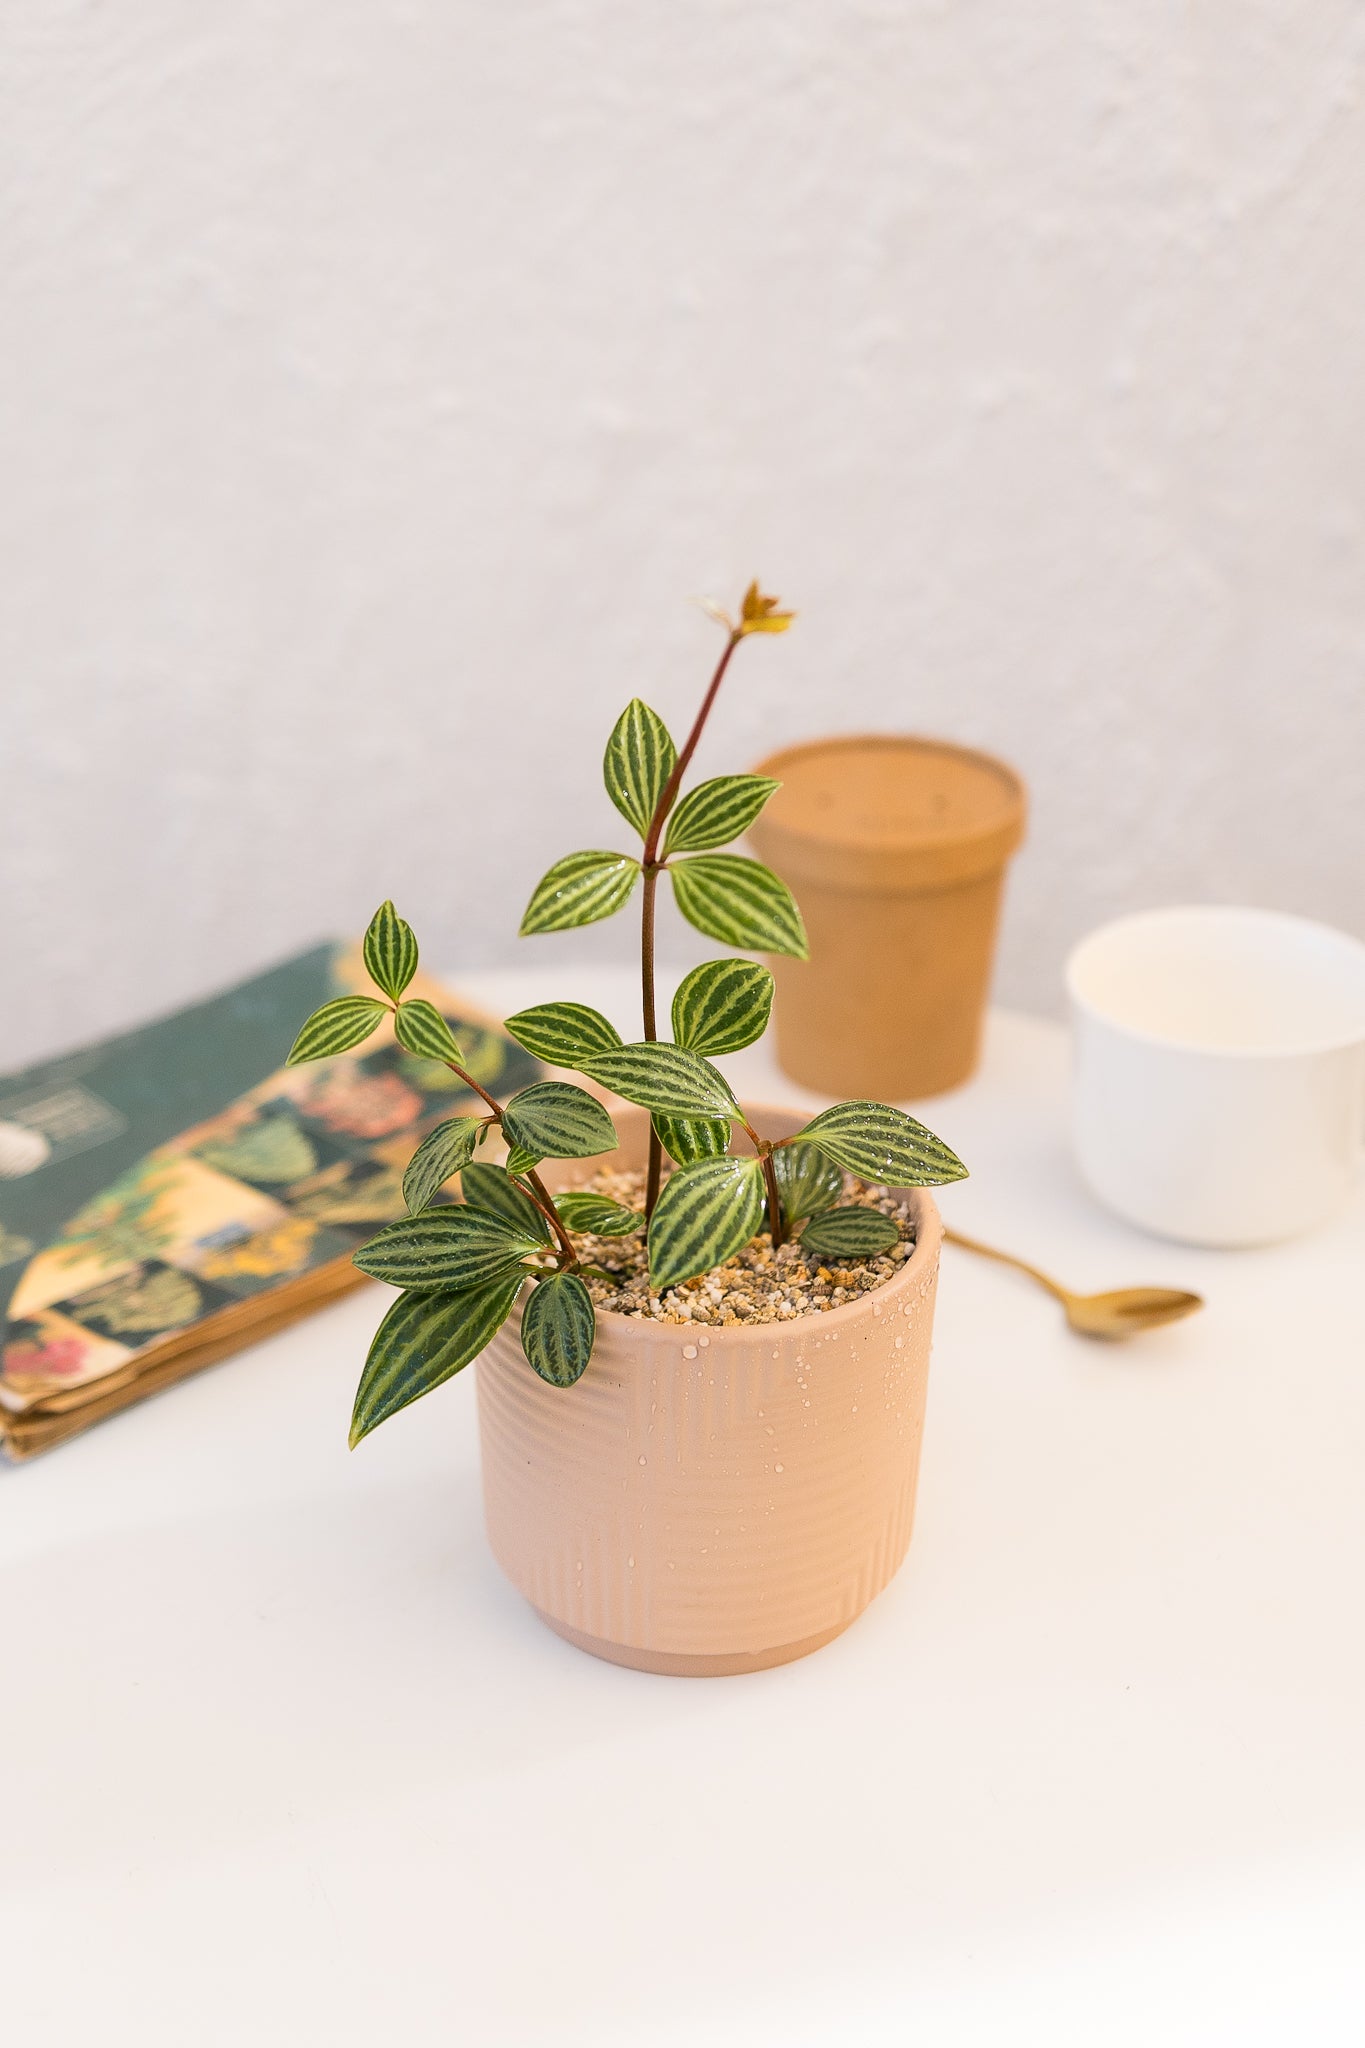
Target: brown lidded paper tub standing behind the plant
[(895, 851)]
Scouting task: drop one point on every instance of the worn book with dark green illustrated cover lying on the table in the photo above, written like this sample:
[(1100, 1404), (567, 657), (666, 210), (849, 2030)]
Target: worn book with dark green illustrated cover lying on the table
[(177, 1193)]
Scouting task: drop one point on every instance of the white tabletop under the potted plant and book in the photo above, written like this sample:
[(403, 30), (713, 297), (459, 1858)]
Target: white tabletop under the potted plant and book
[(288, 1762)]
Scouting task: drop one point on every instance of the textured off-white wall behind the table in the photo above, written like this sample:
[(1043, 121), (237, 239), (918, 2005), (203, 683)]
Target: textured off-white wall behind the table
[(380, 380)]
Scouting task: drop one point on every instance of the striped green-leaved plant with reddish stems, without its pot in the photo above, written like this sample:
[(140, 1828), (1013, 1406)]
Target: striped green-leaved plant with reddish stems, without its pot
[(464, 1267)]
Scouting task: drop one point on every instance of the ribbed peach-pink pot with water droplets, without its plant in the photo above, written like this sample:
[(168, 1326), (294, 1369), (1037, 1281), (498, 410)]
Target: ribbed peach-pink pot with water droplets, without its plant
[(713, 1500)]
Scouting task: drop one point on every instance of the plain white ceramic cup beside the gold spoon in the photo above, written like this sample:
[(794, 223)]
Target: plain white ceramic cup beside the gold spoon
[(1219, 1072)]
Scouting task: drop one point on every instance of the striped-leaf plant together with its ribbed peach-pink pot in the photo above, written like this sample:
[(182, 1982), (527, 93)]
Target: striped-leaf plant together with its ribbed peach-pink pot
[(703, 1326)]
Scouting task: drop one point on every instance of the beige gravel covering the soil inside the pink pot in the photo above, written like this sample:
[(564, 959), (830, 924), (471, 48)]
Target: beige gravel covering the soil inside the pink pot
[(756, 1287)]
